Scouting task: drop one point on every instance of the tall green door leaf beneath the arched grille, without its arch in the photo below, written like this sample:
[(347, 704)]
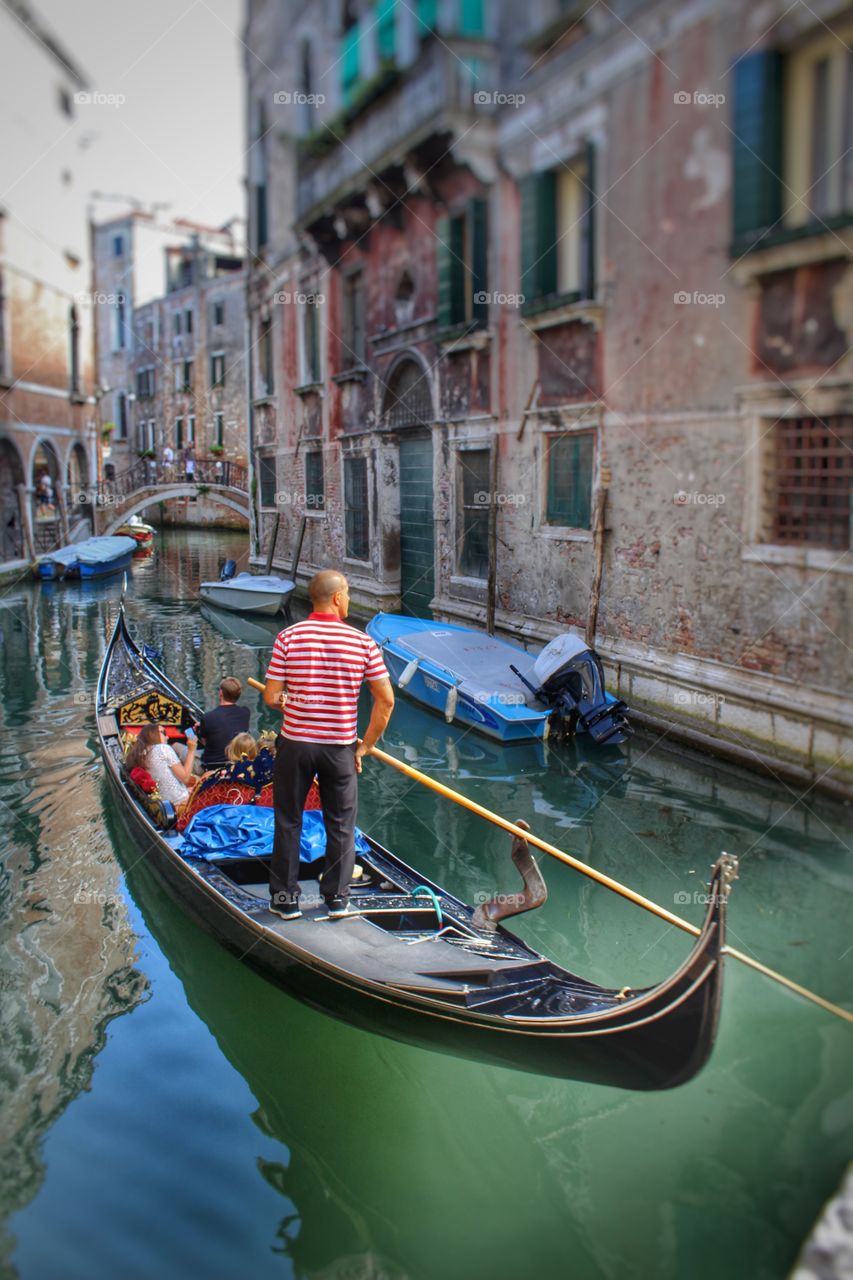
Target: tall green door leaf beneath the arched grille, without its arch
[(417, 532)]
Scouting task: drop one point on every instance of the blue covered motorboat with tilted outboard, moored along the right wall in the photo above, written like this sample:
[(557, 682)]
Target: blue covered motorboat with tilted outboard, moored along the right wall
[(498, 688)]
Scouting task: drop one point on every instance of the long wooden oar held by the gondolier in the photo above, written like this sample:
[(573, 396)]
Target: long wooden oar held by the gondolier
[(594, 874)]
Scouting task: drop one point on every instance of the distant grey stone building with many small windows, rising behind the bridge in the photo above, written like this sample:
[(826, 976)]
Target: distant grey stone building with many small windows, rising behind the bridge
[(171, 341)]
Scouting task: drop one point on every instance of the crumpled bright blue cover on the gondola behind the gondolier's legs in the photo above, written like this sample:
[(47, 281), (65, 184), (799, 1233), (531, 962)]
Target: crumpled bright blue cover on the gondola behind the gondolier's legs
[(247, 831)]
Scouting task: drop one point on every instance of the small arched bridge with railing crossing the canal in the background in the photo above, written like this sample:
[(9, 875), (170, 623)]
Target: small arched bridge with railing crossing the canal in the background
[(149, 482)]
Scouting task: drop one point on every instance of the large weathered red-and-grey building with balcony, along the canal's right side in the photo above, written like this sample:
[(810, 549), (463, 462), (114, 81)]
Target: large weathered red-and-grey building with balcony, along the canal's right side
[(545, 296)]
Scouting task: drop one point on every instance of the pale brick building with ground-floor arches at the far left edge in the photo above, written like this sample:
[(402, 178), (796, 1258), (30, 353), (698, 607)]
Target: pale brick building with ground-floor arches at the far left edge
[(48, 446)]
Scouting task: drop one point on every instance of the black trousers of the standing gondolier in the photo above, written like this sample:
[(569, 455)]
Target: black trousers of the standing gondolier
[(297, 764)]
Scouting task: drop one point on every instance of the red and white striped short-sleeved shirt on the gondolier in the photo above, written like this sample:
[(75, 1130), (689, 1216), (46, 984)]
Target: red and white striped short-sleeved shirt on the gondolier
[(323, 662)]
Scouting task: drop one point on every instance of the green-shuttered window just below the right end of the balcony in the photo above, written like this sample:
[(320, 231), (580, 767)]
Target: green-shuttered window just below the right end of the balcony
[(463, 267)]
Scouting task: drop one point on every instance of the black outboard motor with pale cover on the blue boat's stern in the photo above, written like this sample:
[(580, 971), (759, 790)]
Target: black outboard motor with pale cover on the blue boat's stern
[(569, 678)]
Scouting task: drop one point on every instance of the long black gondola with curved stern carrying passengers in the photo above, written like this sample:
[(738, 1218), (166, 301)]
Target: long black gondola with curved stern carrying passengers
[(414, 962)]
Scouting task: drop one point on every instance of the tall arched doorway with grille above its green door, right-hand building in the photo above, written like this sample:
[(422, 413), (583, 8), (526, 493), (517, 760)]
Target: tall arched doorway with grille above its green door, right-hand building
[(409, 409)]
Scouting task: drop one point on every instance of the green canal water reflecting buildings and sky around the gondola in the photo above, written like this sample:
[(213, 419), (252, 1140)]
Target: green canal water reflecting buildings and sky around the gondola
[(167, 1113)]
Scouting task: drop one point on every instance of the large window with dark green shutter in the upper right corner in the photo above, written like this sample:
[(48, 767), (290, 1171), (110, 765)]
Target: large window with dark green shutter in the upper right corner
[(792, 139)]
